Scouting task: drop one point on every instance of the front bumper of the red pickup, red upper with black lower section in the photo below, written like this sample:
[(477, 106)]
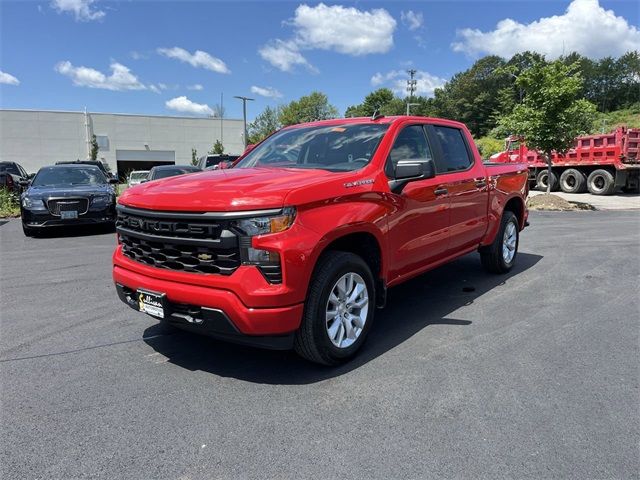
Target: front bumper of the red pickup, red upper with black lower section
[(222, 312)]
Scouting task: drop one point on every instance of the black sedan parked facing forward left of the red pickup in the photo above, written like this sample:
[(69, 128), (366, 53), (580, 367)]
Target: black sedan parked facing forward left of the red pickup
[(67, 195)]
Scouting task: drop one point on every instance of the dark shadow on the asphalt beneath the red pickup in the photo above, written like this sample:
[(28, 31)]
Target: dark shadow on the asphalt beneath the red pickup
[(411, 307)]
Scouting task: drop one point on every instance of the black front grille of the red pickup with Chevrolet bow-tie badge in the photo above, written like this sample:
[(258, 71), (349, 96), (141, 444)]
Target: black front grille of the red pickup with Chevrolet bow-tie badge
[(180, 242)]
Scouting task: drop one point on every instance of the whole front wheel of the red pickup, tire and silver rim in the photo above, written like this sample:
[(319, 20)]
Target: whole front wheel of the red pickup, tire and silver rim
[(339, 309)]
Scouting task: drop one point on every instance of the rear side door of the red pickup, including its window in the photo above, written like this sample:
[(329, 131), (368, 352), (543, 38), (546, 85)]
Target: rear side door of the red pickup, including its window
[(464, 179)]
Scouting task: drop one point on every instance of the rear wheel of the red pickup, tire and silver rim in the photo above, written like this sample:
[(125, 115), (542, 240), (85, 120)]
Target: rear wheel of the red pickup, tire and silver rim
[(500, 256)]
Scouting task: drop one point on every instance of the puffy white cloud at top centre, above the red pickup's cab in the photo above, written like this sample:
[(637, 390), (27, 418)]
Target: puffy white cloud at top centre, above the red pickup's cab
[(345, 30)]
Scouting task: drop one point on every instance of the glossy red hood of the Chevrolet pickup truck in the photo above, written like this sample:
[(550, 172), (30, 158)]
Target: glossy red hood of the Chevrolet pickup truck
[(232, 189)]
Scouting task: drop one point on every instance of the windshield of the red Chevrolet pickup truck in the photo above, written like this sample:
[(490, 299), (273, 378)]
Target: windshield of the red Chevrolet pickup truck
[(337, 148)]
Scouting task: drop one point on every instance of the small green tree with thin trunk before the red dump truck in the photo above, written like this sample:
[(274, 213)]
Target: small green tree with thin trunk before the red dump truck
[(551, 114)]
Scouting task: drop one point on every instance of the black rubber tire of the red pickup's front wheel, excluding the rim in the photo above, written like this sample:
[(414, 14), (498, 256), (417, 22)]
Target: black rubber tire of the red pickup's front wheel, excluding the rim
[(312, 340)]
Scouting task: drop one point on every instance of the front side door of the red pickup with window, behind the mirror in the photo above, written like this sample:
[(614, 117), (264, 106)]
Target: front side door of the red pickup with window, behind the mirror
[(418, 228)]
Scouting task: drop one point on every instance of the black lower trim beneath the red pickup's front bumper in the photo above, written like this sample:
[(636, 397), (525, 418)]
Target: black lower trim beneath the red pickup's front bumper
[(209, 321)]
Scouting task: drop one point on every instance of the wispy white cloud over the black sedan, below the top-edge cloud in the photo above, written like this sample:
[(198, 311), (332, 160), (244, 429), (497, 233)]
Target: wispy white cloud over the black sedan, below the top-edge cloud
[(121, 77)]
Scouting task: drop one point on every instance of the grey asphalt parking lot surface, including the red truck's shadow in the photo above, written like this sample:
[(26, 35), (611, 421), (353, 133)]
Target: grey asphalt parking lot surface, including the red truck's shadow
[(465, 375)]
